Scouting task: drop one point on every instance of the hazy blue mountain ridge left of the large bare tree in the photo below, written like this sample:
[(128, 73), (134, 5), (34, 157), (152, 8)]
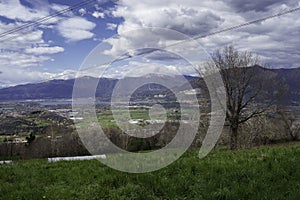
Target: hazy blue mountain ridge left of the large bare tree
[(63, 89)]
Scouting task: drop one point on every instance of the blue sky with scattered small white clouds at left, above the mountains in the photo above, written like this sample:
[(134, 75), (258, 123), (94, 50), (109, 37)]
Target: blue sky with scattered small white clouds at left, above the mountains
[(56, 46)]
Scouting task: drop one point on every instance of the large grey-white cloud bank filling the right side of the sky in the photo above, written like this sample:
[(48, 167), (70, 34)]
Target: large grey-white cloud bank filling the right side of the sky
[(276, 40)]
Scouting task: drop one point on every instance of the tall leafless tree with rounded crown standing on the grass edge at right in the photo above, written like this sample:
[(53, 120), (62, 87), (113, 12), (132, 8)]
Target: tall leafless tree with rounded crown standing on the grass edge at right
[(251, 90)]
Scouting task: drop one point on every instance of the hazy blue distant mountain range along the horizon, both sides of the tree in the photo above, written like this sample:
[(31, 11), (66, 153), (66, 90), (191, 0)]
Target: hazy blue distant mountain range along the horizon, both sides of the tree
[(63, 89)]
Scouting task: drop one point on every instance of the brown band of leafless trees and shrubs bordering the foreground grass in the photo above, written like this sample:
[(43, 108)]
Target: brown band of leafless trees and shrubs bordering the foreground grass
[(261, 130)]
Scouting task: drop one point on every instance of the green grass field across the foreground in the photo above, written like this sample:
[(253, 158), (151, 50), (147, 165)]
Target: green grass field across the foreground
[(267, 173)]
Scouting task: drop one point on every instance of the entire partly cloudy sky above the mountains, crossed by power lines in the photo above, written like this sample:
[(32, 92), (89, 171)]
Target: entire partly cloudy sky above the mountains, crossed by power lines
[(57, 47)]
